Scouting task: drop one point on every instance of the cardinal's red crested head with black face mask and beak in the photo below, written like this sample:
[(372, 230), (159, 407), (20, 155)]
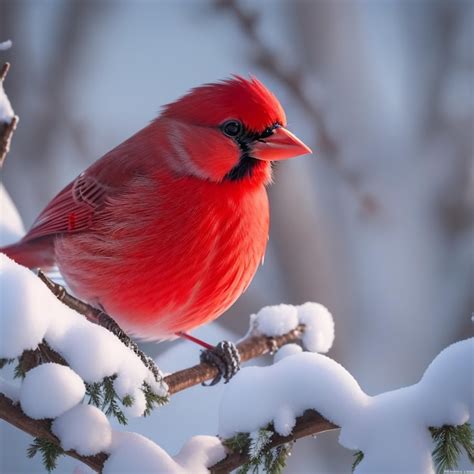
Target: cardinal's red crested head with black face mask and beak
[(229, 131)]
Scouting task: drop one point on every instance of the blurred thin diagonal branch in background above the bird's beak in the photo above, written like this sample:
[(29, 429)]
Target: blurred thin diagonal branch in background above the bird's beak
[(266, 59)]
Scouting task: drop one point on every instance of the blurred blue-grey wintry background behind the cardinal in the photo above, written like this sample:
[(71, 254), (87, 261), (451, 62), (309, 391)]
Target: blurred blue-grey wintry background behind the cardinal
[(377, 224)]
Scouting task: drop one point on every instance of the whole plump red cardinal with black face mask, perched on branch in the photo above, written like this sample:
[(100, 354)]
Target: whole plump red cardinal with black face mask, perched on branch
[(167, 230)]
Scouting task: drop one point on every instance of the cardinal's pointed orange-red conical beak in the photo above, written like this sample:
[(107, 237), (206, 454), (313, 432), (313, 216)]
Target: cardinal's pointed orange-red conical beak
[(281, 145)]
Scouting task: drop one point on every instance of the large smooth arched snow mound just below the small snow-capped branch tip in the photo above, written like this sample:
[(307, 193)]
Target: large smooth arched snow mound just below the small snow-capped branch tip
[(257, 396)]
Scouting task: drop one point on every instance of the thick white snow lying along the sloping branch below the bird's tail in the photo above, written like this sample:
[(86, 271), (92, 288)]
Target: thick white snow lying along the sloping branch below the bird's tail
[(29, 313)]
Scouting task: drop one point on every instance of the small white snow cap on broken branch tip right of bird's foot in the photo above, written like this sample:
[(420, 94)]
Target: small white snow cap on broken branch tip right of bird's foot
[(280, 319)]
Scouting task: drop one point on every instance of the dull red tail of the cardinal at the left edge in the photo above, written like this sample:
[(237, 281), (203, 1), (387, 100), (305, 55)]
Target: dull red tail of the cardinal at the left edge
[(32, 254)]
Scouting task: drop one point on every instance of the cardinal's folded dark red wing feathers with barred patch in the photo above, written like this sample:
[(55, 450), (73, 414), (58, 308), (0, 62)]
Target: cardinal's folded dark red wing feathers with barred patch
[(72, 209)]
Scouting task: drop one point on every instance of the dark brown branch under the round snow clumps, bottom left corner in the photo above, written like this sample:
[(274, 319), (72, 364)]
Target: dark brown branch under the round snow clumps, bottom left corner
[(12, 413)]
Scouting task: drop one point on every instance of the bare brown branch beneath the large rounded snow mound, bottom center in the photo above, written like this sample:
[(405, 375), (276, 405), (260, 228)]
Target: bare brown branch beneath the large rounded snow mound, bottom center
[(309, 424)]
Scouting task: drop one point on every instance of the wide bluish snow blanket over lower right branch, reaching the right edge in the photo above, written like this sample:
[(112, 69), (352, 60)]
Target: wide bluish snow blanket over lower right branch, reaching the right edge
[(390, 428)]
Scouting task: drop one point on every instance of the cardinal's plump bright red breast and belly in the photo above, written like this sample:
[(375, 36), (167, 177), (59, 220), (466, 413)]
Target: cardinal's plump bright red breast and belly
[(173, 256)]
